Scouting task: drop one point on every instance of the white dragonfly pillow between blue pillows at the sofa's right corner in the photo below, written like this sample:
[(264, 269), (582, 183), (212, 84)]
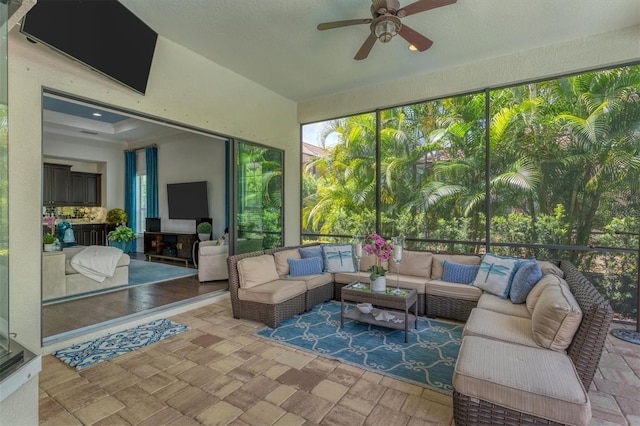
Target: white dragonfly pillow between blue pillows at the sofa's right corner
[(495, 274)]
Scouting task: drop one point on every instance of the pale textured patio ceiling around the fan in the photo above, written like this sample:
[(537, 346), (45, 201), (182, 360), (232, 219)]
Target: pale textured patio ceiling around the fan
[(276, 44)]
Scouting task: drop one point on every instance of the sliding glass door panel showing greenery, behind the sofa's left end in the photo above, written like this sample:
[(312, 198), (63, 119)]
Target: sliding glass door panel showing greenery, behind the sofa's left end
[(259, 197)]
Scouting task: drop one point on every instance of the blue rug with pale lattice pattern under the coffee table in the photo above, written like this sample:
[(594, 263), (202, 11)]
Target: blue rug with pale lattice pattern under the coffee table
[(428, 359)]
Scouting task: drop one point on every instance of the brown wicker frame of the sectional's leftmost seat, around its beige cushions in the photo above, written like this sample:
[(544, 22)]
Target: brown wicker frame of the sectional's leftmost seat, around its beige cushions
[(270, 314)]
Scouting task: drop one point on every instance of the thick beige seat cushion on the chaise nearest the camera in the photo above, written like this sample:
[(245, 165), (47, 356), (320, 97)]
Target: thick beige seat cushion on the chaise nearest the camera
[(536, 381)]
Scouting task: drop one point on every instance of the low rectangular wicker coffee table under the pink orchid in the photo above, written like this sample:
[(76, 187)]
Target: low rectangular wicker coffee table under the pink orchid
[(394, 304)]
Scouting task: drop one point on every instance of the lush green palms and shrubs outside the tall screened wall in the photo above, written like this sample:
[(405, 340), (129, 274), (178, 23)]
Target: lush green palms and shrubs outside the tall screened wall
[(554, 165)]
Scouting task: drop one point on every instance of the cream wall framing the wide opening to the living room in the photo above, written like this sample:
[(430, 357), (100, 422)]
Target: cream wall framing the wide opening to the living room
[(183, 88)]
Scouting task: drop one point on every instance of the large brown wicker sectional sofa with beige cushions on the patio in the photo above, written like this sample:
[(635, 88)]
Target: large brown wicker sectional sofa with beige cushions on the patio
[(529, 363)]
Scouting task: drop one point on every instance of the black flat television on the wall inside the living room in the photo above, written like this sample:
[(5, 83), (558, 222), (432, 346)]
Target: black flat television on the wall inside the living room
[(188, 200)]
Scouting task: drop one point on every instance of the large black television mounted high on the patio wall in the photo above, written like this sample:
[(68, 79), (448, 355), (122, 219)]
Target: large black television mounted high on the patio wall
[(102, 34)]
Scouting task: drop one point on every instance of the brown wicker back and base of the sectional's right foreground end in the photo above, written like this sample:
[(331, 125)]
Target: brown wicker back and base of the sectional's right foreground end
[(585, 352)]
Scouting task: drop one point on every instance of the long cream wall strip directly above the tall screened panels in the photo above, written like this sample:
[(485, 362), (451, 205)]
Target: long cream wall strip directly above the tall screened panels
[(597, 51)]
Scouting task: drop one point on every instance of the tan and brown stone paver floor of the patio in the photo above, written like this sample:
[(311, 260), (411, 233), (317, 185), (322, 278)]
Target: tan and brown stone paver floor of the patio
[(218, 373)]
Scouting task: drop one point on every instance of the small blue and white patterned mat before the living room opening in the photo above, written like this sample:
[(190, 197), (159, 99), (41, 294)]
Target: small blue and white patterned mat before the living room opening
[(90, 353)]
